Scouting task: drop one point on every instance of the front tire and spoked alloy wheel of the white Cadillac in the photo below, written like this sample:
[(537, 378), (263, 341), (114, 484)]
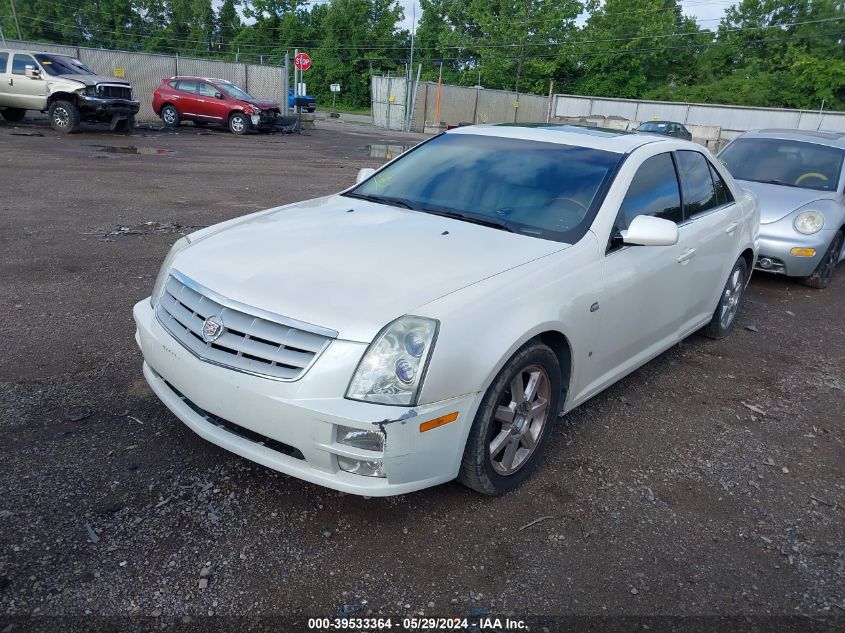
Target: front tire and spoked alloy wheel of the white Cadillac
[(504, 444)]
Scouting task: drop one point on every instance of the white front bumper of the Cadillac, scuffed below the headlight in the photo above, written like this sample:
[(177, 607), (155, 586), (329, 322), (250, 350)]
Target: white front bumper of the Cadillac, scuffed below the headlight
[(300, 418)]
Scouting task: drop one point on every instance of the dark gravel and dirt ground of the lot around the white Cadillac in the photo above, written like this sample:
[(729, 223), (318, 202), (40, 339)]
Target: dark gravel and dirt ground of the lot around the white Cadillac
[(709, 482)]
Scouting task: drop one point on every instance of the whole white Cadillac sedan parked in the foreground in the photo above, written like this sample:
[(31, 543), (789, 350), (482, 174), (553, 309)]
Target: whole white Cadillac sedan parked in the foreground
[(431, 322)]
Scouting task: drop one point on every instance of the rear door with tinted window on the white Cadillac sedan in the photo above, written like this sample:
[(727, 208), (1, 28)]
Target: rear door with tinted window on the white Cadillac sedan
[(712, 226)]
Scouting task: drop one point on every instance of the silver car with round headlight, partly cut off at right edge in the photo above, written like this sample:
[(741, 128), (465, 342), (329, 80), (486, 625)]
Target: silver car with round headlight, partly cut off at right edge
[(798, 177)]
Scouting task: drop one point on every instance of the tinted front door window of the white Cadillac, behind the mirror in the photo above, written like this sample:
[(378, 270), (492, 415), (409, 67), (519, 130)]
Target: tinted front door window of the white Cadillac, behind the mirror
[(653, 191)]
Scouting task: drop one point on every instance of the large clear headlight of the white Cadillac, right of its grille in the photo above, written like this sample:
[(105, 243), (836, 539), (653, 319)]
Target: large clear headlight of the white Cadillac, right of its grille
[(392, 369)]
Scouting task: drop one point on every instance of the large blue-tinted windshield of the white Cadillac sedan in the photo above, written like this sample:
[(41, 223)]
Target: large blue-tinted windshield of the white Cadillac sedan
[(546, 190)]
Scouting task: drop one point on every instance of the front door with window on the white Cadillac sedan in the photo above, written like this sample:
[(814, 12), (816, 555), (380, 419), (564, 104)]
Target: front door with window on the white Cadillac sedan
[(644, 302)]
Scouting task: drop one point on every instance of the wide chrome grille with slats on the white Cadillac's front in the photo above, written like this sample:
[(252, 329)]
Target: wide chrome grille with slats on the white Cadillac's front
[(268, 347)]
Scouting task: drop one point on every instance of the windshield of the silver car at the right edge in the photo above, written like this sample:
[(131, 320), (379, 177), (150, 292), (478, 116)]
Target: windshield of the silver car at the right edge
[(782, 162)]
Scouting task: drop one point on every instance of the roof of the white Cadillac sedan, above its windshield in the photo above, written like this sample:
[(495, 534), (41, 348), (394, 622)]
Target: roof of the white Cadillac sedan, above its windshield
[(617, 141)]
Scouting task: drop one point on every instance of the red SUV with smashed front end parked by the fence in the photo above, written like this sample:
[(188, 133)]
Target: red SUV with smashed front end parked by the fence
[(212, 102)]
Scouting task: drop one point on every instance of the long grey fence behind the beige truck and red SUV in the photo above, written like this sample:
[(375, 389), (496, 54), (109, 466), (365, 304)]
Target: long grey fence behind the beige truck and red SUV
[(146, 70)]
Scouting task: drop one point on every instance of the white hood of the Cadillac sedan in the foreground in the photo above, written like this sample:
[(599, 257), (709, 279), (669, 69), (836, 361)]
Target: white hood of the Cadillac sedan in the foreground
[(350, 265)]
